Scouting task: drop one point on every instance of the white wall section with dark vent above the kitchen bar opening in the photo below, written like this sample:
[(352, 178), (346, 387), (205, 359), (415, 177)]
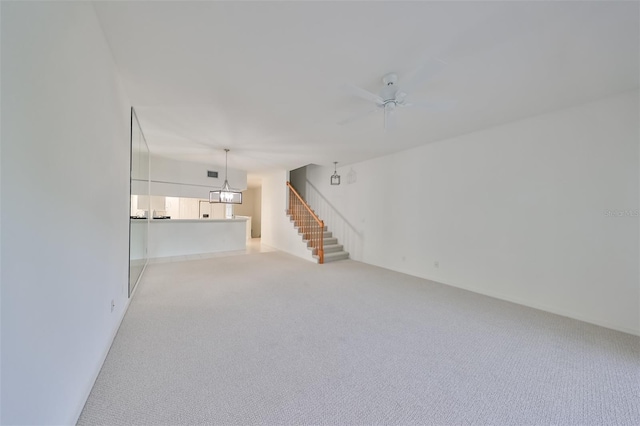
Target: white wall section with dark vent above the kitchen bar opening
[(187, 179)]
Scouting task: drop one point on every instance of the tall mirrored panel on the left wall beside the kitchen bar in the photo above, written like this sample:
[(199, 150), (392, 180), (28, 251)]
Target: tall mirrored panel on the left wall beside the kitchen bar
[(140, 206)]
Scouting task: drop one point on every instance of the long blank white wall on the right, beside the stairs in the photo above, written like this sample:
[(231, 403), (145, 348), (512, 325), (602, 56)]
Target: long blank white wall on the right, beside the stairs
[(517, 211)]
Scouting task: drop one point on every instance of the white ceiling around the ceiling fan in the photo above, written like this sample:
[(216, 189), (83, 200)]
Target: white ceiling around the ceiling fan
[(265, 79)]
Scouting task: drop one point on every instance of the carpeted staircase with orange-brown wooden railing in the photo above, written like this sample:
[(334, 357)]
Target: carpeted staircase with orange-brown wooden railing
[(323, 245)]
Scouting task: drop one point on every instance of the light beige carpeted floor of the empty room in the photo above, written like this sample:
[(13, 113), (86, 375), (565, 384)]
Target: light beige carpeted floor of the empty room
[(271, 339)]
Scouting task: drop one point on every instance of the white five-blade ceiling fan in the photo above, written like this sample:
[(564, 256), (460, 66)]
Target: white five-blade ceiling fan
[(393, 96)]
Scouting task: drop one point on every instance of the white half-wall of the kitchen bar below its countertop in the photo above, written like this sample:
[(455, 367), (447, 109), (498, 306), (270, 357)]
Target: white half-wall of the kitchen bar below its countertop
[(179, 237)]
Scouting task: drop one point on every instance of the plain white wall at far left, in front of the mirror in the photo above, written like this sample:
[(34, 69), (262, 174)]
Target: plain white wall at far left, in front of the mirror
[(65, 208)]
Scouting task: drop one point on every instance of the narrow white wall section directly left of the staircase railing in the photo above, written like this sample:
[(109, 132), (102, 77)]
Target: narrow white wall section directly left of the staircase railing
[(277, 230)]
